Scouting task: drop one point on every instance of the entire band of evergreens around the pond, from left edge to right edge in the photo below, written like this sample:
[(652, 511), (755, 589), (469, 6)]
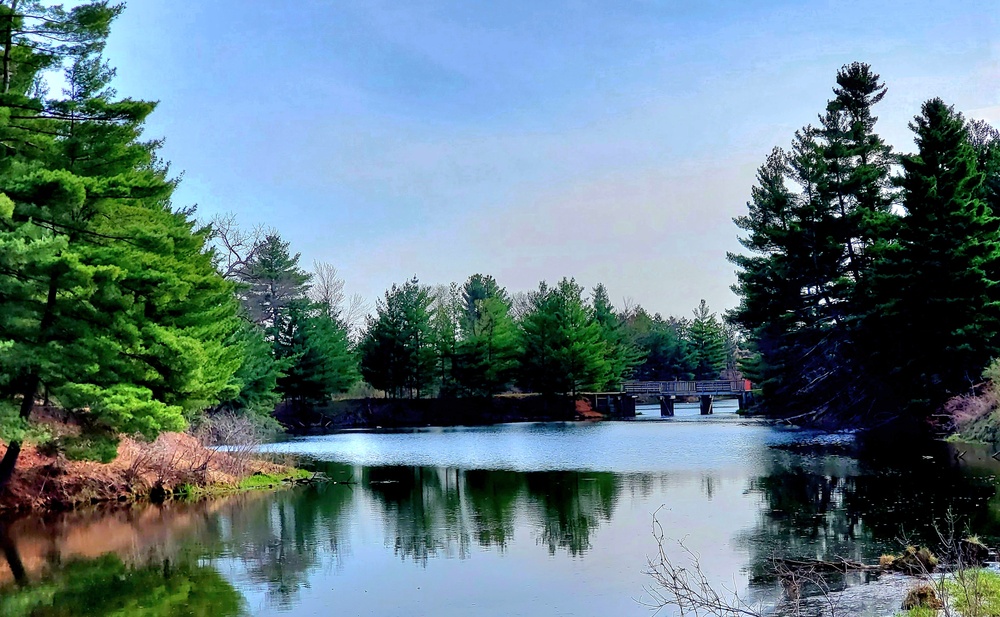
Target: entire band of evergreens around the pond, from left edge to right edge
[(870, 283)]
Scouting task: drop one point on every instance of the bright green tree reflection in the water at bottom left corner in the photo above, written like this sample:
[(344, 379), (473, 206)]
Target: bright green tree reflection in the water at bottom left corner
[(106, 586)]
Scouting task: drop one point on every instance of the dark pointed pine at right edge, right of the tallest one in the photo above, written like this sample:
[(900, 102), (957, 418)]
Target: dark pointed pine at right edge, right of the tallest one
[(936, 319)]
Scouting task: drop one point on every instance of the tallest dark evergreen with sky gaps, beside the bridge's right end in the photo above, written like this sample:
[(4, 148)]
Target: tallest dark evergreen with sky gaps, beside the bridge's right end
[(817, 217)]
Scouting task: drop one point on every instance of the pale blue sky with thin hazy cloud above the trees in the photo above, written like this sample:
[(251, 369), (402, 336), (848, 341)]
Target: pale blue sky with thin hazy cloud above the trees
[(610, 141)]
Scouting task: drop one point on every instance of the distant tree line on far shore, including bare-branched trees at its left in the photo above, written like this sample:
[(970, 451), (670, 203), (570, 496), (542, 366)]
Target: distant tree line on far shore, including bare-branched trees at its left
[(305, 344)]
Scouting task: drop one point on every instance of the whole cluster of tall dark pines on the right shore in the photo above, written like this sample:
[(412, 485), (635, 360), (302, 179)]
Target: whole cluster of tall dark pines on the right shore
[(870, 284)]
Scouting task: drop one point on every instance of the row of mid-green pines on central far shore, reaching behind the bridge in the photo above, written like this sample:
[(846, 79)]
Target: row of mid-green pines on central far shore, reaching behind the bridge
[(478, 340)]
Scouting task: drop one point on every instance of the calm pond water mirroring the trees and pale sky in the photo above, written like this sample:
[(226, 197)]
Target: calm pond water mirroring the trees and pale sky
[(518, 519)]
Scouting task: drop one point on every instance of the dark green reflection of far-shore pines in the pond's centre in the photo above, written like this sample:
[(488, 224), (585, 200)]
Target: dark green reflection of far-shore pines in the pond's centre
[(432, 511)]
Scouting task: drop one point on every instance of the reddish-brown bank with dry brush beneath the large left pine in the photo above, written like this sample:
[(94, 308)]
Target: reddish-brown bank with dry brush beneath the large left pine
[(142, 470)]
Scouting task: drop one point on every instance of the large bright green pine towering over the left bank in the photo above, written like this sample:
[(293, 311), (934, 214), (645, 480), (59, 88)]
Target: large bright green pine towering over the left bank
[(111, 303)]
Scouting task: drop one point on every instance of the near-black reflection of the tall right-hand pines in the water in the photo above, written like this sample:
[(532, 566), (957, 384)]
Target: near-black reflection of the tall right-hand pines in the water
[(827, 507)]
